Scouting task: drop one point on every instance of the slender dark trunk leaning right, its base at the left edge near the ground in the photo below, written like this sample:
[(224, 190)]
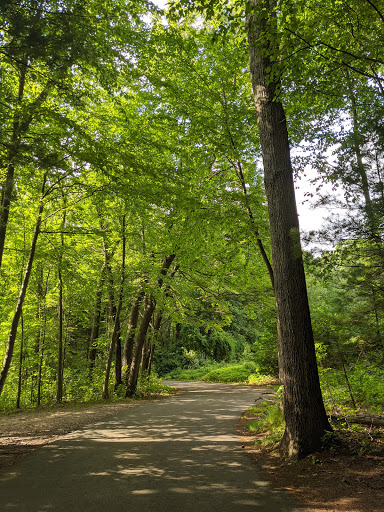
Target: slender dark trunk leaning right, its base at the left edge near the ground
[(20, 301)]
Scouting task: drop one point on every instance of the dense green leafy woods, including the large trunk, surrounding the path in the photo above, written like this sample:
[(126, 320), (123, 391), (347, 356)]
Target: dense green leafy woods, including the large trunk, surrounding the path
[(148, 223)]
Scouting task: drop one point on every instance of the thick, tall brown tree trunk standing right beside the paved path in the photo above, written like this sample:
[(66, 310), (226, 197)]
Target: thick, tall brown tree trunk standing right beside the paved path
[(306, 420)]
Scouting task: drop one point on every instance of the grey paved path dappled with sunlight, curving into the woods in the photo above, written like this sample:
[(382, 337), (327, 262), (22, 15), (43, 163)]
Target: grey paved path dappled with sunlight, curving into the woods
[(180, 454)]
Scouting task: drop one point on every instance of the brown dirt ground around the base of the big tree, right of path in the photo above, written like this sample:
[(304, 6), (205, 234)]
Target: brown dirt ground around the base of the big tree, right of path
[(349, 478)]
